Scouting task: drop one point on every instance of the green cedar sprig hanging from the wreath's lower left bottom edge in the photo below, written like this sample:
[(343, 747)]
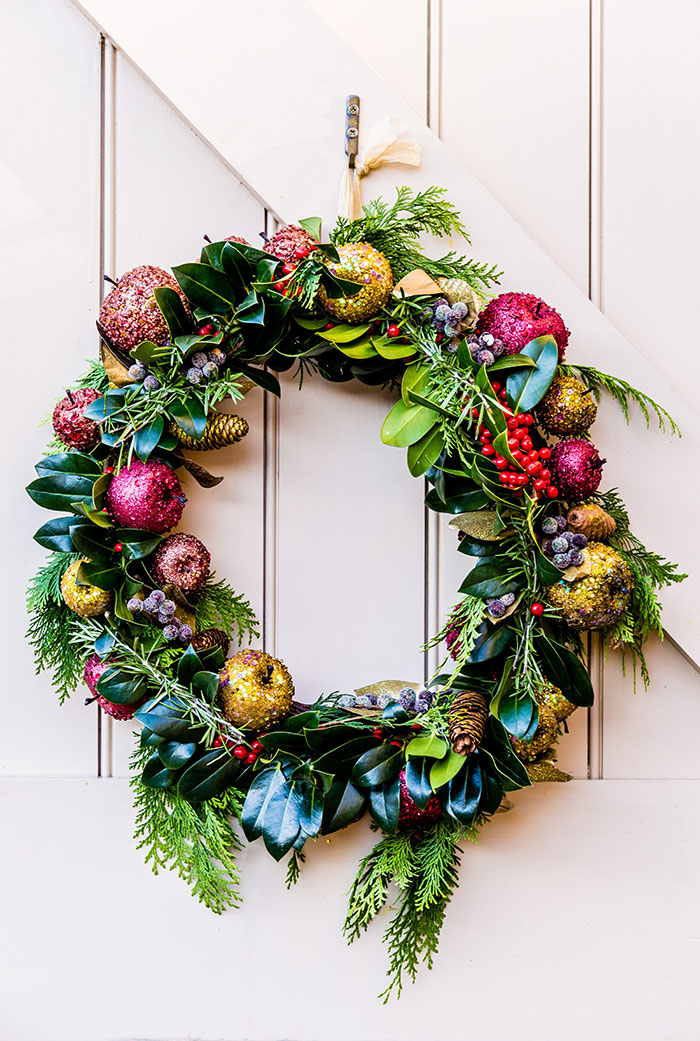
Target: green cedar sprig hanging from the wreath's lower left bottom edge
[(197, 842)]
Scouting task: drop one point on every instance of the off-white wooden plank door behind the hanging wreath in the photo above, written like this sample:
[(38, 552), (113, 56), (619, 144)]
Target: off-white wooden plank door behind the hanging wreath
[(579, 912)]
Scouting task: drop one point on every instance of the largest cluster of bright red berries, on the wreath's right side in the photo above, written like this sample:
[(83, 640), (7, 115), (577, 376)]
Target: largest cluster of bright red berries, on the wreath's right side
[(522, 449)]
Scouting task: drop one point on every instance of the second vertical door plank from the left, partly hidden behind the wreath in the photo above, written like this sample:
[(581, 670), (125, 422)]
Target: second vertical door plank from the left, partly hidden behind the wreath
[(170, 192)]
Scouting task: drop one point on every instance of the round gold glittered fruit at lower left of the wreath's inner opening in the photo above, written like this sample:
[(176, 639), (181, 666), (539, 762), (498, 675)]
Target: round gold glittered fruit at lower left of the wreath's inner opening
[(256, 691)]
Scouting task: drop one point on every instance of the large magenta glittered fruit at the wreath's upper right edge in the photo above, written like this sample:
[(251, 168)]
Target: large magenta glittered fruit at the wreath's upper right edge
[(518, 318)]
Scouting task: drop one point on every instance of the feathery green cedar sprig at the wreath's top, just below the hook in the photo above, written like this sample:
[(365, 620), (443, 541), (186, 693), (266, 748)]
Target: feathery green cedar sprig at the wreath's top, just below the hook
[(395, 230)]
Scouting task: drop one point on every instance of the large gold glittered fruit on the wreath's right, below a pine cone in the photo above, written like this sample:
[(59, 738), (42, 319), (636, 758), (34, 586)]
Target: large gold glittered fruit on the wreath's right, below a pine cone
[(602, 598)]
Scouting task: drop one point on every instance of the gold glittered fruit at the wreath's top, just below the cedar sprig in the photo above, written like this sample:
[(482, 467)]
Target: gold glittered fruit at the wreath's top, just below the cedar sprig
[(360, 263)]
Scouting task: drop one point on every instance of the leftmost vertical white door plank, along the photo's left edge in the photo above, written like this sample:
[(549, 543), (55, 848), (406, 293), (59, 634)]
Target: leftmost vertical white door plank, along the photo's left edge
[(49, 174)]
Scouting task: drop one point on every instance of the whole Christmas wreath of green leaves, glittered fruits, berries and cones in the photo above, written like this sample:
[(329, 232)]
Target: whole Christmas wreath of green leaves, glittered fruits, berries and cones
[(496, 419)]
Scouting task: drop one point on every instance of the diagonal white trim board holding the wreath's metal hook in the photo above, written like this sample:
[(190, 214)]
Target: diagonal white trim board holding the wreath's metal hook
[(282, 135)]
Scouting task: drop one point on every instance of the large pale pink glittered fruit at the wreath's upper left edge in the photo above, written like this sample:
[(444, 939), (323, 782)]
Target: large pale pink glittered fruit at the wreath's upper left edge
[(131, 313)]
